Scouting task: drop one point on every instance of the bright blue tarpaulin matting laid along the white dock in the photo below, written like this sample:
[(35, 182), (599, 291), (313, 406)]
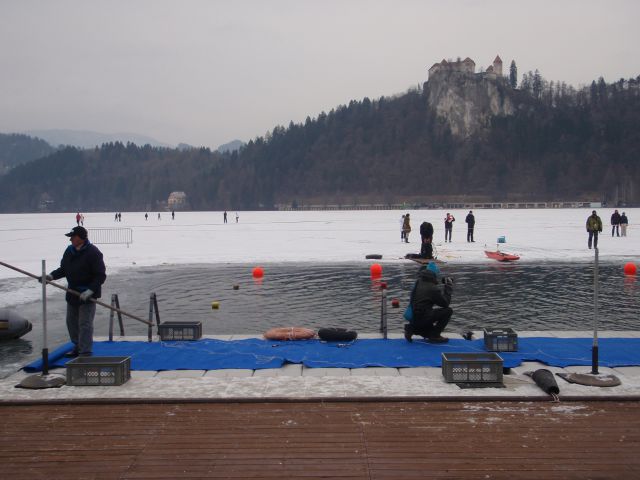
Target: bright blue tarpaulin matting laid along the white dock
[(258, 354)]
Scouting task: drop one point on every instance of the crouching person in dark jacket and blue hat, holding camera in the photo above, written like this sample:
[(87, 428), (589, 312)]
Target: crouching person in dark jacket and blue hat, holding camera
[(428, 321)]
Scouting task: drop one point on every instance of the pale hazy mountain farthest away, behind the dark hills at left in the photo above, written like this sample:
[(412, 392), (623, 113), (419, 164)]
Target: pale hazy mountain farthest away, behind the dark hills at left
[(88, 139)]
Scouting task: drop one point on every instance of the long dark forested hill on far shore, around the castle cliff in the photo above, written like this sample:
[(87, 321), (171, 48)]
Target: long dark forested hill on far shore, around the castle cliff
[(559, 144)]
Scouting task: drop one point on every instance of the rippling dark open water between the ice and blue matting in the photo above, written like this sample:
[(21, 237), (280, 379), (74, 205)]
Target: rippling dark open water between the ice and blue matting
[(542, 296)]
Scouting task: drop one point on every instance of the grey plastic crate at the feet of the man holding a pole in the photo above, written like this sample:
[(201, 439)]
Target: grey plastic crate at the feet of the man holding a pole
[(98, 371)]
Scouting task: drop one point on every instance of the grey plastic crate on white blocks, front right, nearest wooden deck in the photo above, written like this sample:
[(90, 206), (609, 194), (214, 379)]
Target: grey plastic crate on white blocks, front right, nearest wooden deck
[(472, 367)]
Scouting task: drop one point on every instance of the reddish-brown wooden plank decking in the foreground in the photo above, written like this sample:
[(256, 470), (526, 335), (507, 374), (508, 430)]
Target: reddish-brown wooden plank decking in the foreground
[(390, 440)]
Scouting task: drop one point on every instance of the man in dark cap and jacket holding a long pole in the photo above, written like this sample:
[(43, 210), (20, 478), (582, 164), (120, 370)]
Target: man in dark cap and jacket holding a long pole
[(84, 269)]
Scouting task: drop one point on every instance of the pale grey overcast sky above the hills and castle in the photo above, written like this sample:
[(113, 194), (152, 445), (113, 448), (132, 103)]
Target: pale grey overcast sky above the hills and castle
[(207, 72)]
